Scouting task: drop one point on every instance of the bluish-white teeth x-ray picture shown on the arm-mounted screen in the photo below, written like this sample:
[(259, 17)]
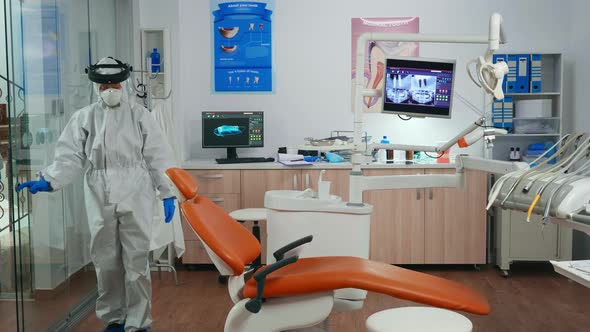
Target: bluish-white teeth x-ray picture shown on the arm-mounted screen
[(410, 89)]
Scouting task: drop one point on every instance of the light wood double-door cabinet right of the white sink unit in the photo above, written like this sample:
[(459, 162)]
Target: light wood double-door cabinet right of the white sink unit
[(429, 226)]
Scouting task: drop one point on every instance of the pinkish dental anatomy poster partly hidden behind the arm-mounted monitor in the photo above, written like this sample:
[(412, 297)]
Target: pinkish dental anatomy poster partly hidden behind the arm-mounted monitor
[(377, 51)]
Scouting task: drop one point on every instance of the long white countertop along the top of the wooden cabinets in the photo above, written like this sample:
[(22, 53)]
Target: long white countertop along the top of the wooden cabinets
[(210, 164)]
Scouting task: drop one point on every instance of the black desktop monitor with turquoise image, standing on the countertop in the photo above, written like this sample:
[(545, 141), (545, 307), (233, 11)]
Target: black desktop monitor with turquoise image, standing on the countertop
[(231, 130)]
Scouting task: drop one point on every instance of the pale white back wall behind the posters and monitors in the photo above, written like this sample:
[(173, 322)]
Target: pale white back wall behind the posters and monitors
[(312, 63)]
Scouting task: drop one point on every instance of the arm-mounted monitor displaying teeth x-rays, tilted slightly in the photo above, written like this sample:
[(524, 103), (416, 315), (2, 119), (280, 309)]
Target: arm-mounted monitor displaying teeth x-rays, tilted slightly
[(419, 87)]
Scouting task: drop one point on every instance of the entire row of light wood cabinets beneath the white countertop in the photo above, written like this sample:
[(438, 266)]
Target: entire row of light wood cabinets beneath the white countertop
[(408, 226)]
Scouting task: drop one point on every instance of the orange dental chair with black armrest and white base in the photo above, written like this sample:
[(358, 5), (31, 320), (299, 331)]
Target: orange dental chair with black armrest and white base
[(295, 293)]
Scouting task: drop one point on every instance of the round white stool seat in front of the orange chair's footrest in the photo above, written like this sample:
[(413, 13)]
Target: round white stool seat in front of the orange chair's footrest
[(418, 319)]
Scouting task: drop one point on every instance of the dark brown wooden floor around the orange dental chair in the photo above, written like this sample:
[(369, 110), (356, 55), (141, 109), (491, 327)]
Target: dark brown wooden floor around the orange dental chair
[(533, 298)]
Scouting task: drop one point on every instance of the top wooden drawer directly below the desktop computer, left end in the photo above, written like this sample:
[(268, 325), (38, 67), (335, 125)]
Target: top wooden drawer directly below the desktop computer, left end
[(217, 181)]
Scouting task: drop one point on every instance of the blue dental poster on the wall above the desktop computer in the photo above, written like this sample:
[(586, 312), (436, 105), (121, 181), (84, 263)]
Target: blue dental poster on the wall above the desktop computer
[(242, 45)]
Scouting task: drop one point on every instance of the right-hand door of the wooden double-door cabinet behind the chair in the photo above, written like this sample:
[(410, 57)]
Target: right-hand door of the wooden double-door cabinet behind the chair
[(455, 221)]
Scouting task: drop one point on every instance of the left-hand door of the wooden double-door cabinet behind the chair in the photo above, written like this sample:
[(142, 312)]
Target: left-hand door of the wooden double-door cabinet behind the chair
[(397, 222)]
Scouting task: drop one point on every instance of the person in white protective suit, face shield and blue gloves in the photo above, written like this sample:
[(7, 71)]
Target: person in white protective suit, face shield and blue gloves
[(126, 156)]
